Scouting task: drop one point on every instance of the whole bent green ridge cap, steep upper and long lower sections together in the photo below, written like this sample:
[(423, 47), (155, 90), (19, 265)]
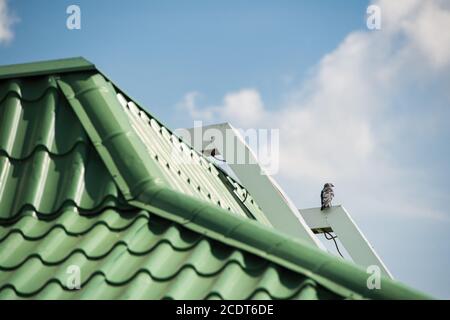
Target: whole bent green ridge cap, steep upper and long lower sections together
[(91, 99)]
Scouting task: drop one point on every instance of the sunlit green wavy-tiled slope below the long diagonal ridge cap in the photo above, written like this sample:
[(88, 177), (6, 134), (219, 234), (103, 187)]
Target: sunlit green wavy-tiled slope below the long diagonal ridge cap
[(140, 256)]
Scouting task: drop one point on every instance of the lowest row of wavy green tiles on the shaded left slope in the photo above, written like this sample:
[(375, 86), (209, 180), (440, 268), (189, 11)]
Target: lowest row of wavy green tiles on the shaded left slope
[(47, 182)]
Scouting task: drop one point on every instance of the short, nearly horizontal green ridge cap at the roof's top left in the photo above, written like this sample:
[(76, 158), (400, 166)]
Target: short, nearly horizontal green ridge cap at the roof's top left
[(45, 67)]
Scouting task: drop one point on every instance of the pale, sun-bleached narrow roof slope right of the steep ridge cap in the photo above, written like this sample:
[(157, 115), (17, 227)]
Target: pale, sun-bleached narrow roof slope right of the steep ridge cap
[(186, 170)]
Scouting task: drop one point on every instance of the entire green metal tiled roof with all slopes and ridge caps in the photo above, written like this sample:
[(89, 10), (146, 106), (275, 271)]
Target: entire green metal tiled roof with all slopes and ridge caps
[(89, 178)]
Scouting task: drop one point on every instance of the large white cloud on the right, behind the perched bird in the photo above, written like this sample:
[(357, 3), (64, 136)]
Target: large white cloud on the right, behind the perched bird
[(338, 126)]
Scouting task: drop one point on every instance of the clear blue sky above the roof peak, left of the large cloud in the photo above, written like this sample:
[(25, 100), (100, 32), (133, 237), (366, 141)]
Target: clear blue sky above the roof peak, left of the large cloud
[(159, 50)]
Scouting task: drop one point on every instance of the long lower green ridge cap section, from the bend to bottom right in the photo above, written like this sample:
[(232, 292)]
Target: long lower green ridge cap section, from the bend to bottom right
[(269, 244)]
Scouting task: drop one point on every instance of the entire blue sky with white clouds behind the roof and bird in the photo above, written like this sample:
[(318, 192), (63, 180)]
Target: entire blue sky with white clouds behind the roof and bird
[(366, 110)]
